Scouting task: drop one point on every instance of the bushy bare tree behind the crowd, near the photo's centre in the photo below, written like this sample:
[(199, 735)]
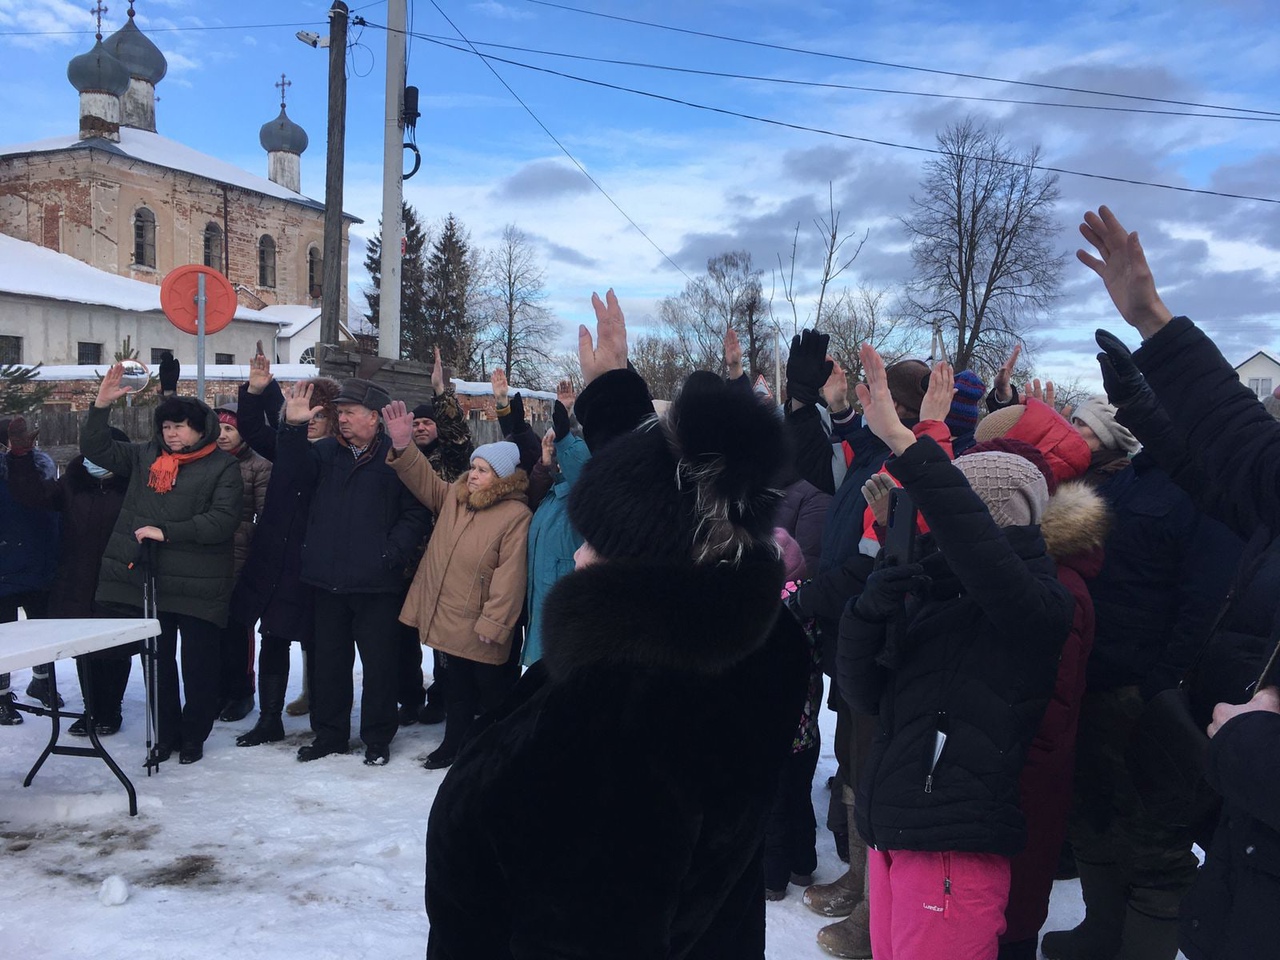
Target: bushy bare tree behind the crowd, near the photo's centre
[(728, 295)]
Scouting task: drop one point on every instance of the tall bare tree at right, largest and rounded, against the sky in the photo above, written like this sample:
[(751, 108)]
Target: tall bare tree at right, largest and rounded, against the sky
[(981, 243)]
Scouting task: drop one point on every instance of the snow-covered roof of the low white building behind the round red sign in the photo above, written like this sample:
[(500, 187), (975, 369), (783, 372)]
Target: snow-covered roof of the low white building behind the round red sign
[(33, 271)]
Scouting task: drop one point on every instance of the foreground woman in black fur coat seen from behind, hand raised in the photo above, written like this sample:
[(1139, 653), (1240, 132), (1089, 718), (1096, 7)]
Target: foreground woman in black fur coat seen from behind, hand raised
[(616, 806)]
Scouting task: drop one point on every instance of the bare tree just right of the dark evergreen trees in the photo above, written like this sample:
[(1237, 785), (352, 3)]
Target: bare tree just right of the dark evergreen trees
[(520, 330)]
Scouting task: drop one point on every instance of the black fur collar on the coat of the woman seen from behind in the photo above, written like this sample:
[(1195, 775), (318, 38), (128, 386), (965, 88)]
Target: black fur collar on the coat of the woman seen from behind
[(687, 618)]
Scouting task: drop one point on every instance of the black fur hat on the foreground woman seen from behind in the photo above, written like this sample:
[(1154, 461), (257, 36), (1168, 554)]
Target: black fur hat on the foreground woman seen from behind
[(693, 486)]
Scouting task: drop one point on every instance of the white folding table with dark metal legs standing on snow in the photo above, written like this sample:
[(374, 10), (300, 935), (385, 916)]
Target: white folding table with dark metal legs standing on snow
[(28, 643)]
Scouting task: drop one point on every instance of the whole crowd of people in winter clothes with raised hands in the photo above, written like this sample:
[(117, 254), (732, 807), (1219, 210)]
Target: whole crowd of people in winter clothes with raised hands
[(632, 623)]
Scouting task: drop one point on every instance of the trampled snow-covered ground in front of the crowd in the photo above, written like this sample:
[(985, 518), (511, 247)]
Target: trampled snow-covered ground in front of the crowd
[(252, 854)]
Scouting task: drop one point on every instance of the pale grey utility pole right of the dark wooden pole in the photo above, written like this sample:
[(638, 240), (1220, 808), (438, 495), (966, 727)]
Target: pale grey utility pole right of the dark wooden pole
[(394, 185)]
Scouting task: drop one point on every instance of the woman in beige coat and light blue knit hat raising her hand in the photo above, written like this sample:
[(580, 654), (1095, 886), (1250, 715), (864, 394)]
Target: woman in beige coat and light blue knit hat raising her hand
[(470, 587)]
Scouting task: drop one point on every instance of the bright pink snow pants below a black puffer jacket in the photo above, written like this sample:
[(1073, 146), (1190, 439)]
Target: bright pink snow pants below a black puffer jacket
[(936, 907)]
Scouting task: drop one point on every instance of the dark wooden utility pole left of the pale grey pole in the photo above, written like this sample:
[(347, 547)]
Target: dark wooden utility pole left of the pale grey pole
[(332, 305)]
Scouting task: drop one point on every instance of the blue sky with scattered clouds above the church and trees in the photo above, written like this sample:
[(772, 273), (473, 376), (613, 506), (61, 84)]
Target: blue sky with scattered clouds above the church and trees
[(701, 184)]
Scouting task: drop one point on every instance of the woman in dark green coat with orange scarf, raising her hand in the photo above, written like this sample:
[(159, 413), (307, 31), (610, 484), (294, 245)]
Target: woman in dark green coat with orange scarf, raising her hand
[(184, 504)]
